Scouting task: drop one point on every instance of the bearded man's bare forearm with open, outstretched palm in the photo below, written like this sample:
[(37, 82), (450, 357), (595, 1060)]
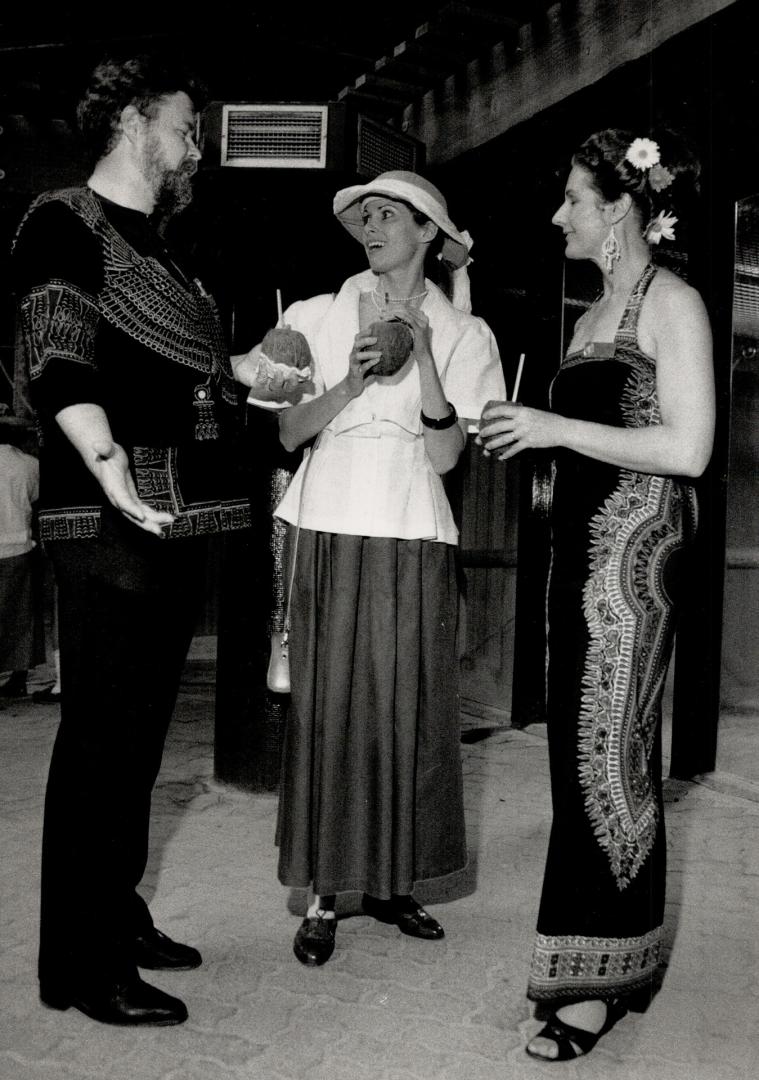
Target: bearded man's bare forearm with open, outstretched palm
[(87, 428)]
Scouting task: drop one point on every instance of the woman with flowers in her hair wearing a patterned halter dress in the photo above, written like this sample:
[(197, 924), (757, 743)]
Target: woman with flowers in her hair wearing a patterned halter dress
[(632, 420)]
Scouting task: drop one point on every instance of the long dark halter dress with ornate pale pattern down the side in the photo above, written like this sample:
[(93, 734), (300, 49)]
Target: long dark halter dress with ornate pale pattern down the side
[(617, 541)]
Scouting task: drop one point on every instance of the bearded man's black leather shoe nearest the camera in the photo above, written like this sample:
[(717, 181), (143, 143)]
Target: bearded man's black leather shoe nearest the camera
[(132, 1003)]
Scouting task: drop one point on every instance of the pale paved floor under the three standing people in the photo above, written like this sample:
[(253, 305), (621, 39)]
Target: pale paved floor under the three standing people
[(386, 1007)]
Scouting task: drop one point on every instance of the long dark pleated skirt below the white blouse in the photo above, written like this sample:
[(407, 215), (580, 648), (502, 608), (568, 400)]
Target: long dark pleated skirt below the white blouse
[(372, 789)]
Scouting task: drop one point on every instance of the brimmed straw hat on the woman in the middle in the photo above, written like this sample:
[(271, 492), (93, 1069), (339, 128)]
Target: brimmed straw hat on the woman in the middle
[(411, 188)]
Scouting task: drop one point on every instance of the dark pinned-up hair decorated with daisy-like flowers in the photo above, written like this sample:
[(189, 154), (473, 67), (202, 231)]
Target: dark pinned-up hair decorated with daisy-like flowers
[(655, 187)]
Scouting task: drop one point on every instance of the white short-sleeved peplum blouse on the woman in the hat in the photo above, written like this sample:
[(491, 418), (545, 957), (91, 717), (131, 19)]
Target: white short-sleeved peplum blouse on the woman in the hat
[(370, 475)]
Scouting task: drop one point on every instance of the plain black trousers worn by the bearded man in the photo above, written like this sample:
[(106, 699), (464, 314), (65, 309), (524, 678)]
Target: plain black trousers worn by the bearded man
[(128, 607)]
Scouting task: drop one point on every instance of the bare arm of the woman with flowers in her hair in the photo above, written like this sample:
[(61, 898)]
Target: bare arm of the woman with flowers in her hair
[(680, 445)]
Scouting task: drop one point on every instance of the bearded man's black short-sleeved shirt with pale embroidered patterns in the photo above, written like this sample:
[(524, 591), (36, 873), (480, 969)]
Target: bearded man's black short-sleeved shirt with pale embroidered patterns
[(111, 317)]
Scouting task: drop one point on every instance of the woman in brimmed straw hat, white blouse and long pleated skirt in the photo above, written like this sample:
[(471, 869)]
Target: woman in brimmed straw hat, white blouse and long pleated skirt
[(371, 798)]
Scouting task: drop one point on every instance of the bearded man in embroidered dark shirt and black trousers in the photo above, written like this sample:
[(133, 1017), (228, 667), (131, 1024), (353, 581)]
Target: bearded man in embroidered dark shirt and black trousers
[(139, 412)]
